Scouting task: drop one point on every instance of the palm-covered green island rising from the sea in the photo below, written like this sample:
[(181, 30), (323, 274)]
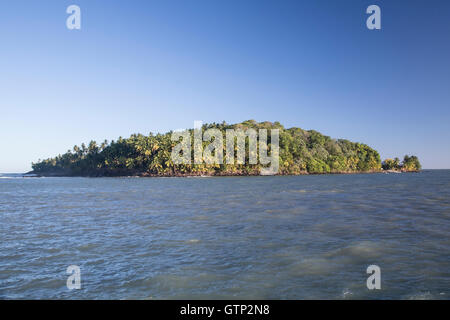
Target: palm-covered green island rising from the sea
[(201, 152)]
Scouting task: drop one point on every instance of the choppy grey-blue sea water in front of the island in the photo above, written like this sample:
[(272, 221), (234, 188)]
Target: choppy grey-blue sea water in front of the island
[(237, 237)]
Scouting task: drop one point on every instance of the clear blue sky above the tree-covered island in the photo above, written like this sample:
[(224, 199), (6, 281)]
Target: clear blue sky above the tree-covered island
[(141, 66)]
